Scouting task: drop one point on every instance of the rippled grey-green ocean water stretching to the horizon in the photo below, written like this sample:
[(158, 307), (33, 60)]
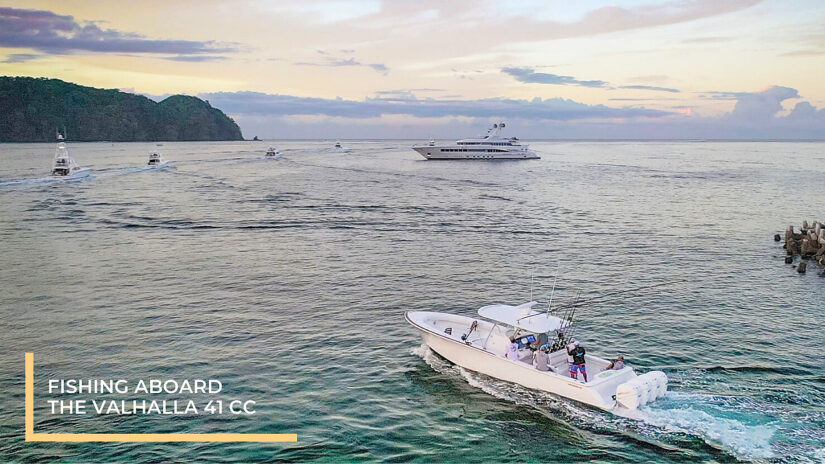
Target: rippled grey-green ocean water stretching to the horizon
[(288, 280)]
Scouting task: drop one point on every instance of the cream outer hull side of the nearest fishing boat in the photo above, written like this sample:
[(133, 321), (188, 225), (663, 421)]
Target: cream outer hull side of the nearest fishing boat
[(598, 392)]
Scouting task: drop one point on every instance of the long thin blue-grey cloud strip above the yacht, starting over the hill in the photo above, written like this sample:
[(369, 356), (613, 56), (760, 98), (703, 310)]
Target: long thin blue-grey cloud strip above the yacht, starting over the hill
[(255, 103)]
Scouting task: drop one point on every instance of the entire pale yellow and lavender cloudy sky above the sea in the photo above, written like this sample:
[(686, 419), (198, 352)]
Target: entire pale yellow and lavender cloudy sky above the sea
[(328, 69)]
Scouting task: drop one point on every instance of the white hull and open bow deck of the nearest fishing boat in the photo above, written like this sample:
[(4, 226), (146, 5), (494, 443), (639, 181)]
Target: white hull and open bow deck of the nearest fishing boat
[(599, 391)]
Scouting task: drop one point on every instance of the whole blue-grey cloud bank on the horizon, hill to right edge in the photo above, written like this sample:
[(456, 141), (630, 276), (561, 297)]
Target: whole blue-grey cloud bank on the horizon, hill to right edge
[(756, 115)]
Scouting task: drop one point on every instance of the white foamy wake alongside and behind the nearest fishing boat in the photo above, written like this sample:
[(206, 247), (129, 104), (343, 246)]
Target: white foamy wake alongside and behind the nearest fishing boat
[(746, 434)]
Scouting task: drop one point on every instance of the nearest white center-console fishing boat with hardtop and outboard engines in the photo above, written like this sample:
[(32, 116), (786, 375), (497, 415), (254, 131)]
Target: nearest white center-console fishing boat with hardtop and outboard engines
[(487, 346)]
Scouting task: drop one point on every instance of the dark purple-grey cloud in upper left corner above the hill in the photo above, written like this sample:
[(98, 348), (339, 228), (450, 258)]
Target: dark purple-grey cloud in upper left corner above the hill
[(61, 34)]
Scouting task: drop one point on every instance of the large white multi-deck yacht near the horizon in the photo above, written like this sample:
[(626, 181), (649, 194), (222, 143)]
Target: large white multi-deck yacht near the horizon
[(491, 146)]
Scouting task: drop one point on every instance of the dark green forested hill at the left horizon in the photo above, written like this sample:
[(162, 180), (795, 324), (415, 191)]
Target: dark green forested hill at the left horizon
[(32, 109)]
